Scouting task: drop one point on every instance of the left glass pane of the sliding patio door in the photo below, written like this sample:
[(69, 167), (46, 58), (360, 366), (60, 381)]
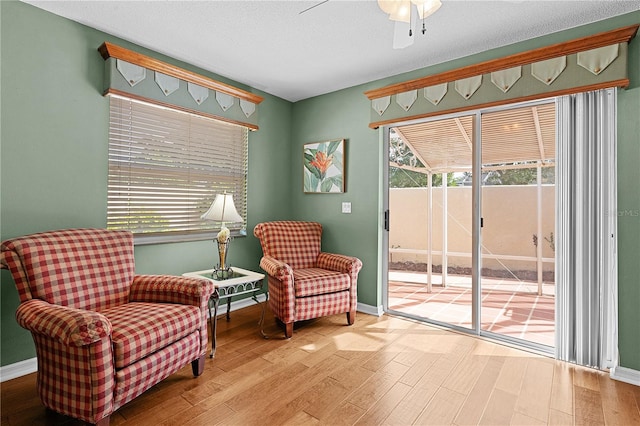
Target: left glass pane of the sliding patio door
[(430, 220)]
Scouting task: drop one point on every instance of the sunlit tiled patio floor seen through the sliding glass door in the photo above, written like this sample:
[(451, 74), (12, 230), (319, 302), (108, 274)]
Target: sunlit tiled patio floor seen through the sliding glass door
[(509, 307)]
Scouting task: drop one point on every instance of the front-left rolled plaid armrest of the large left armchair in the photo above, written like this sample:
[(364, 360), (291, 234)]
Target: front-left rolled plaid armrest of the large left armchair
[(69, 326)]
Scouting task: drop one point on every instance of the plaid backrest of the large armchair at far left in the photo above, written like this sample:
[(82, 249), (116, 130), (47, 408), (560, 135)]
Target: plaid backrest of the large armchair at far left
[(88, 269)]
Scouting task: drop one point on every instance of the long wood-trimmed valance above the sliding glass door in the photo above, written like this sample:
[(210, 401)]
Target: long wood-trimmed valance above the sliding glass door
[(588, 63)]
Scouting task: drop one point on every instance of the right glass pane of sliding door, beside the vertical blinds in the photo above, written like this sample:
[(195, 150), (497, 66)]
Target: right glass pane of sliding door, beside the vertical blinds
[(518, 211)]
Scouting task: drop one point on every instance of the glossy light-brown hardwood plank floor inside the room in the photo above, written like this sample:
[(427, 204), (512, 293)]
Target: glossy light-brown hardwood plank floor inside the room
[(379, 371)]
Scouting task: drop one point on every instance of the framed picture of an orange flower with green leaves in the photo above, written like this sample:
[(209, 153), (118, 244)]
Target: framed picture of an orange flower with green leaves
[(324, 167)]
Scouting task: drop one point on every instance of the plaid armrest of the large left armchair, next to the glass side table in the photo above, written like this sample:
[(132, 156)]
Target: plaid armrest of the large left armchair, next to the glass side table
[(171, 289)]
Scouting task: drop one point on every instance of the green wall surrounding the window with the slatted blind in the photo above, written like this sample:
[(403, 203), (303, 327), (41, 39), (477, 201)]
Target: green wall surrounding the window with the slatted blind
[(54, 135)]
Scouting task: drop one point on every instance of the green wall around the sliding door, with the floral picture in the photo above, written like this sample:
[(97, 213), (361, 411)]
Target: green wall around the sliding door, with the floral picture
[(345, 114)]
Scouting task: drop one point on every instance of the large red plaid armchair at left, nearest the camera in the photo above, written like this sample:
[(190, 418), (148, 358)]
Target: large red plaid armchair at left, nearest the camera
[(103, 334)]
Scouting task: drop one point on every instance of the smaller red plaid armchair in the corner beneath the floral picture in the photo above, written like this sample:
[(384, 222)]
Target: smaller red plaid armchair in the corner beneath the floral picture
[(304, 282)]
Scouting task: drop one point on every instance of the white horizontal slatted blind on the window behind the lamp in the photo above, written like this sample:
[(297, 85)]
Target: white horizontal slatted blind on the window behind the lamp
[(165, 168)]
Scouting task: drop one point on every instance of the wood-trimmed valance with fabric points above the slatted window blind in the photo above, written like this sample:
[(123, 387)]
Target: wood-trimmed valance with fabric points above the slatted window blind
[(137, 76)]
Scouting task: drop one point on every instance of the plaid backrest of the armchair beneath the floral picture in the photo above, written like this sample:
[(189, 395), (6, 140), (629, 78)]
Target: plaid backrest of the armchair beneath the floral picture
[(294, 243)]
